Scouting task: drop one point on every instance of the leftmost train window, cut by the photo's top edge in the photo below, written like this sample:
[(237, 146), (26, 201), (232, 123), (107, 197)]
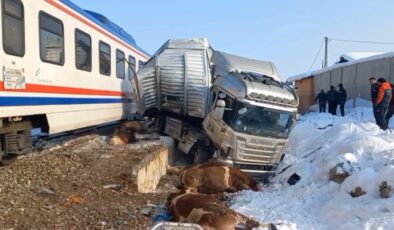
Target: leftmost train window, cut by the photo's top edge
[(13, 27)]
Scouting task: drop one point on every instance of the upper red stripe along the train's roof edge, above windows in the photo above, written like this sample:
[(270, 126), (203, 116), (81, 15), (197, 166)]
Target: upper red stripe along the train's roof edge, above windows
[(88, 23)]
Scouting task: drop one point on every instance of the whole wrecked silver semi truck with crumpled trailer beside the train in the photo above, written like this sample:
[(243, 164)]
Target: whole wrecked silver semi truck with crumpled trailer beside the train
[(216, 104)]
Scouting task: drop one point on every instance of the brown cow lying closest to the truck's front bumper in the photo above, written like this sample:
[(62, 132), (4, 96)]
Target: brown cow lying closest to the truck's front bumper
[(215, 177)]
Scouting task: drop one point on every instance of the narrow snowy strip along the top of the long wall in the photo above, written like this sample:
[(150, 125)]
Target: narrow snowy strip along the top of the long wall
[(361, 60)]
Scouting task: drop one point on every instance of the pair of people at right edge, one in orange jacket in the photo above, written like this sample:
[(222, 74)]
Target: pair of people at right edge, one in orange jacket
[(382, 101)]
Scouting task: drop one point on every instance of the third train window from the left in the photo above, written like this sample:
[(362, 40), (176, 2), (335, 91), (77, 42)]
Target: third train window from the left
[(83, 51)]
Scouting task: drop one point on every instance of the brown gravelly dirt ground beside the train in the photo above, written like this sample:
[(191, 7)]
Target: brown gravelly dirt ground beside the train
[(83, 183)]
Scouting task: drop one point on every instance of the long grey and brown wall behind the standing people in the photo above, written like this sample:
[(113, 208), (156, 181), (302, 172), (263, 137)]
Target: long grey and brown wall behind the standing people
[(353, 77)]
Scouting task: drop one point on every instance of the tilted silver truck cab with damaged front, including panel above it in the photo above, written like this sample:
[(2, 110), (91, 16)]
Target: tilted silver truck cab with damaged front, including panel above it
[(252, 115)]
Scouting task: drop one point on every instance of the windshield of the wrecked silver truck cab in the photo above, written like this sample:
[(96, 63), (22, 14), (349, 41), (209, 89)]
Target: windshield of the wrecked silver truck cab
[(261, 121)]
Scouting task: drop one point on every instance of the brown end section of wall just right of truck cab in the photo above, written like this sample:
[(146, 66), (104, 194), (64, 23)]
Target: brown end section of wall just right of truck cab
[(305, 90)]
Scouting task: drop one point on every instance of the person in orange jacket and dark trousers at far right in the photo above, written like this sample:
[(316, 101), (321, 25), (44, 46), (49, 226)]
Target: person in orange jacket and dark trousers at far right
[(382, 103)]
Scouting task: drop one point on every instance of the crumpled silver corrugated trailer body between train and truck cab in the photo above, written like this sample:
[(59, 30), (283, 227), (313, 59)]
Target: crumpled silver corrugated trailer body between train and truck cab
[(177, 79)]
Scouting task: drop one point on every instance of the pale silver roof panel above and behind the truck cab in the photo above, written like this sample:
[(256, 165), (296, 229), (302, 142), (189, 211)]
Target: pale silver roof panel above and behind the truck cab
[(228, 63)]
